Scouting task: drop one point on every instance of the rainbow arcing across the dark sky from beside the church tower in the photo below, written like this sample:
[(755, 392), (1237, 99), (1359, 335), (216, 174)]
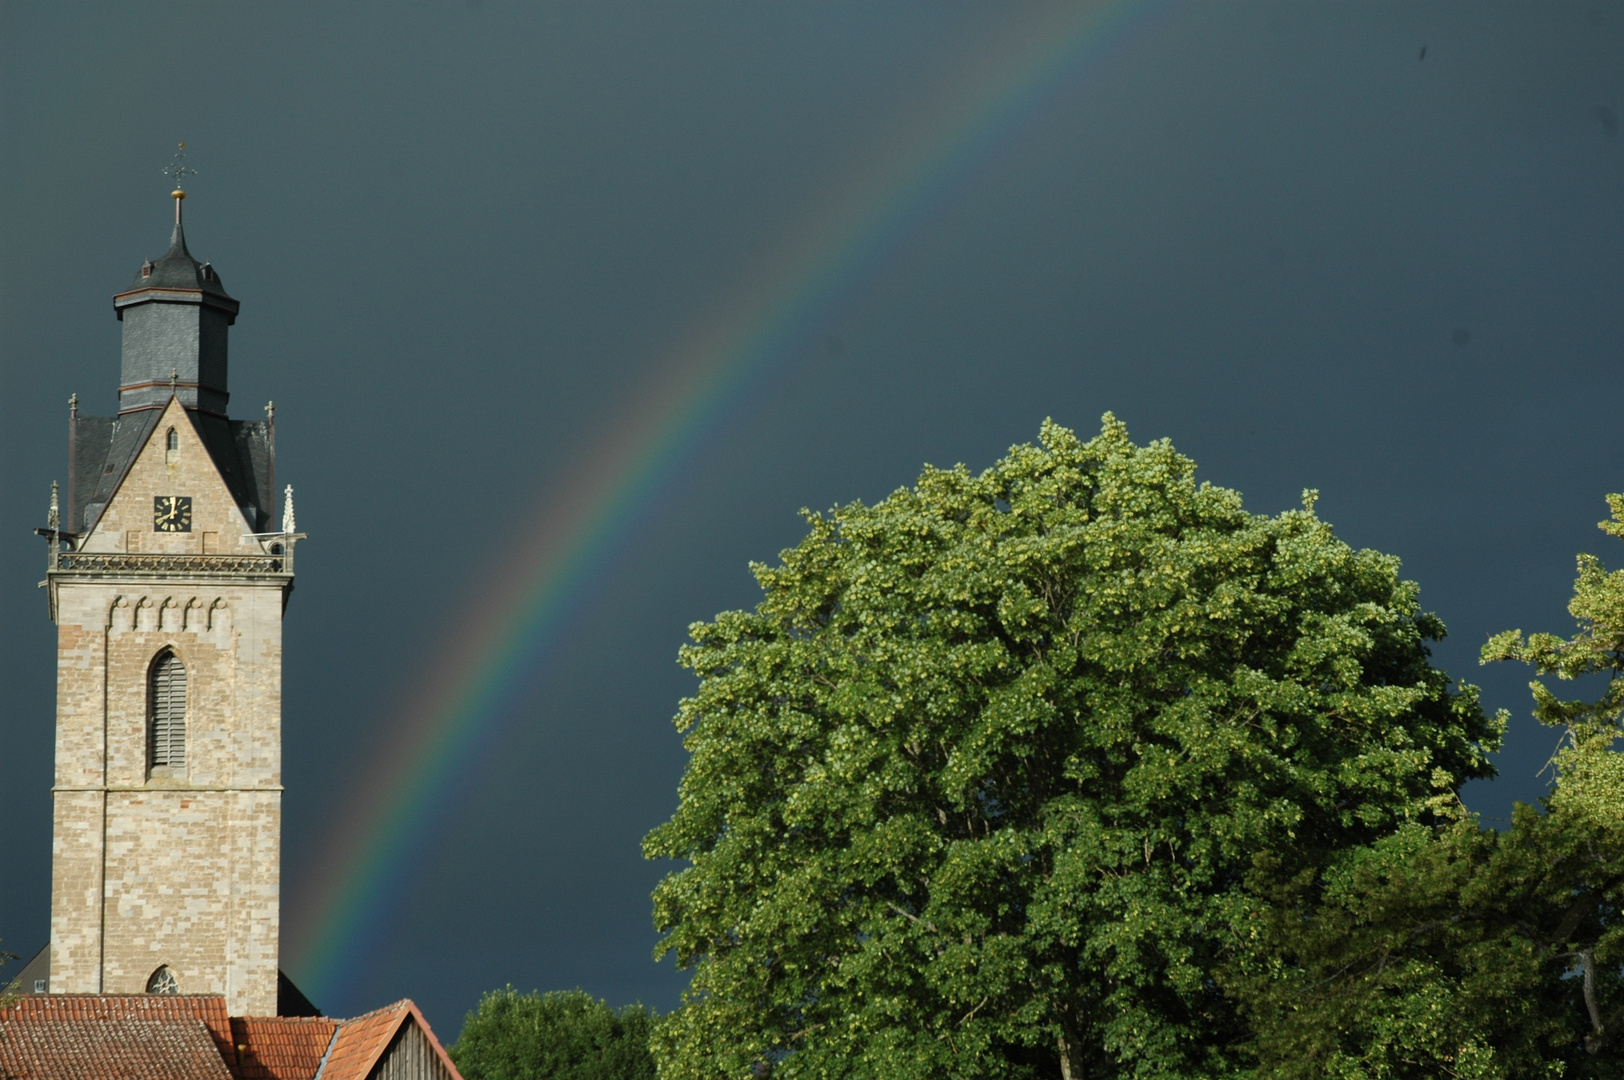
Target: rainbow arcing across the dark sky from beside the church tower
[(710, 373)]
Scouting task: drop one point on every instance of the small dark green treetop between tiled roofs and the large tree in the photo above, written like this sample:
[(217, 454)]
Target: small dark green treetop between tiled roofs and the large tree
[(553, 1037)]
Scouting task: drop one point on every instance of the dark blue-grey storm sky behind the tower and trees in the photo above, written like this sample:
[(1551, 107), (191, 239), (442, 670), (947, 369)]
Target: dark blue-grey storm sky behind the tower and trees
[(462, 235)]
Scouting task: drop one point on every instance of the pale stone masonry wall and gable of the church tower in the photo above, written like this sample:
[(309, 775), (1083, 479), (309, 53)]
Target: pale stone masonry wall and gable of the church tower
[(170, 866)]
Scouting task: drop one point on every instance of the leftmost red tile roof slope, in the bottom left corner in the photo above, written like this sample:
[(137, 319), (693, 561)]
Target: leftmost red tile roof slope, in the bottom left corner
[(113, 1050)]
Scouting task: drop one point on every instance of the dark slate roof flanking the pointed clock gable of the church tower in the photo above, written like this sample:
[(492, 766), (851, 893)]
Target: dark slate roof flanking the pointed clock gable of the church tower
[(105, 447)]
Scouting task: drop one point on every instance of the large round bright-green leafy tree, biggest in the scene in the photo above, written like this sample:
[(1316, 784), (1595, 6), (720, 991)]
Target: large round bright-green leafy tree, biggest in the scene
[(977, 788)]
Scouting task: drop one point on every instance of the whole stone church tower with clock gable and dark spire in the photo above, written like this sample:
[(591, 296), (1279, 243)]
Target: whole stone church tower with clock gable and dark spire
[(168, 582)]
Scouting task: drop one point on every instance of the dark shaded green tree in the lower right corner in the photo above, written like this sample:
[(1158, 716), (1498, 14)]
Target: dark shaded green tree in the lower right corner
[(1443, 953)]
